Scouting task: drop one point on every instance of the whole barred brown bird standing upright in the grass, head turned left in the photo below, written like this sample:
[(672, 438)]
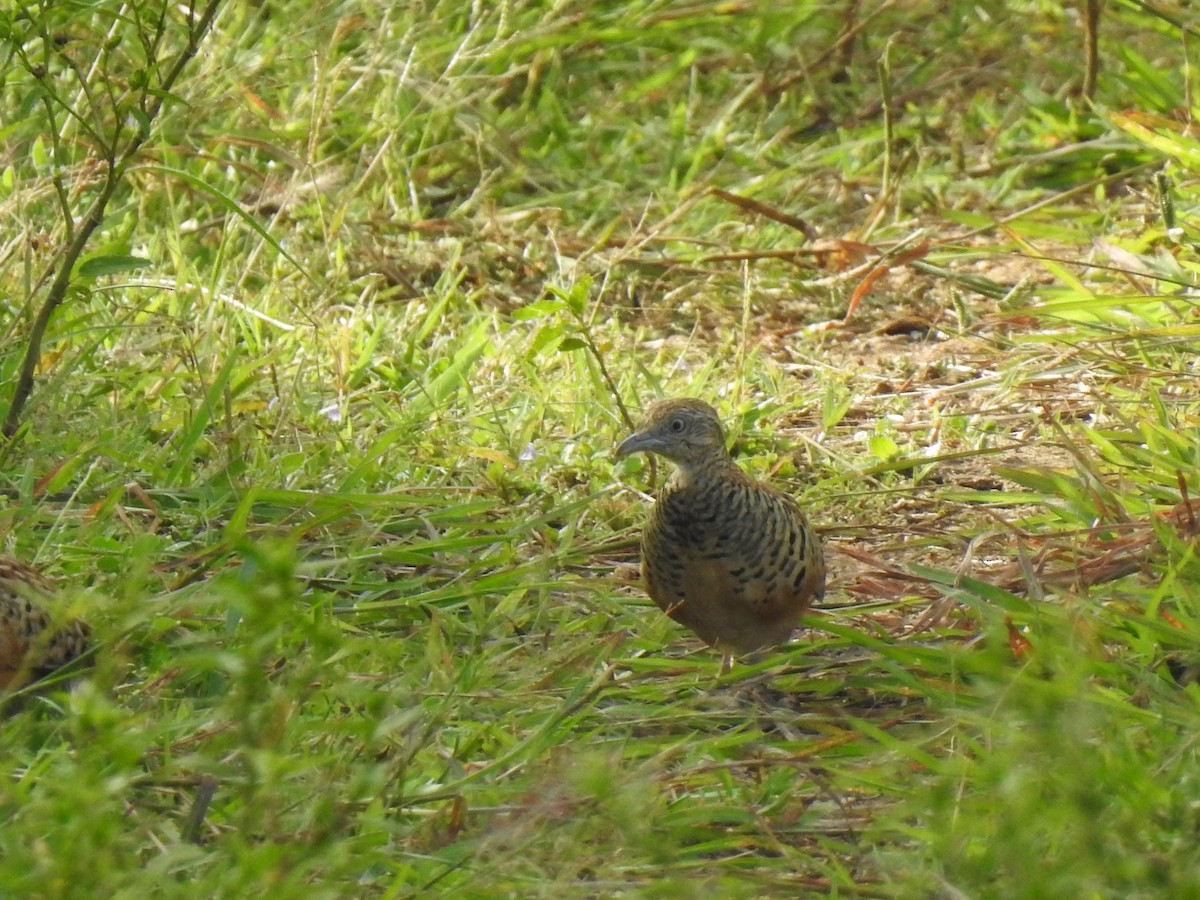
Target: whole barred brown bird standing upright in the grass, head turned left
[(727, 556)]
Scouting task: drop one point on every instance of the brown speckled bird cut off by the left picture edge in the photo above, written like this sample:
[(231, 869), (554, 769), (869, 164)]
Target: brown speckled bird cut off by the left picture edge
[(33, 644)]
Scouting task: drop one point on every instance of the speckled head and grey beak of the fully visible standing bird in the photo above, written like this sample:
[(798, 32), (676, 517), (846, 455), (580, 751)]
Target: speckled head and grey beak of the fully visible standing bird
[(685, 431)]
